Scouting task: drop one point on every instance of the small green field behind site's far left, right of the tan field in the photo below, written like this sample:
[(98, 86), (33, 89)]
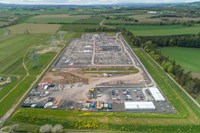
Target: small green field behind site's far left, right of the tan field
[(77, 27)]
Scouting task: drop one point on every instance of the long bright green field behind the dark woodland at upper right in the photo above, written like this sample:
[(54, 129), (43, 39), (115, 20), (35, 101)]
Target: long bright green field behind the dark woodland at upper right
[(162, 30)]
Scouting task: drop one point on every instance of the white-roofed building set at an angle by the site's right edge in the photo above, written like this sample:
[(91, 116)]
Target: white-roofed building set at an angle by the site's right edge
[(158, 97)]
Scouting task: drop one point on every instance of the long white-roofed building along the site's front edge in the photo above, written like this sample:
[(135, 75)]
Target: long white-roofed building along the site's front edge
[(140, 106)]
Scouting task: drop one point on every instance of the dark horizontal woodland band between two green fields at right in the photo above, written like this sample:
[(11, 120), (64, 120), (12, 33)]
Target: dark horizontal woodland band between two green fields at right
[(192, 41)]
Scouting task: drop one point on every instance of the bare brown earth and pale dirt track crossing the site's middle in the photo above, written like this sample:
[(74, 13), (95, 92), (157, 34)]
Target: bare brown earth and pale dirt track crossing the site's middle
[(72, 77)]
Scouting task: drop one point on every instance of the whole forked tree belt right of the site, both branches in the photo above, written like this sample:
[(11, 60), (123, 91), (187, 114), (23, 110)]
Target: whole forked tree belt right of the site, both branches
[(185, 79)]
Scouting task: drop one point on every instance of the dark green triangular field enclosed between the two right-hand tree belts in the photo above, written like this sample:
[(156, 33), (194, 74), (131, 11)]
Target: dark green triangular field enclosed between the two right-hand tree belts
[(188, 58)]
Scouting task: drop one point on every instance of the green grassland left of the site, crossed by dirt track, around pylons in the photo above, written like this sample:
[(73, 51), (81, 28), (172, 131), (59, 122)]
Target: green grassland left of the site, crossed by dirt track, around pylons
[(15, 49)]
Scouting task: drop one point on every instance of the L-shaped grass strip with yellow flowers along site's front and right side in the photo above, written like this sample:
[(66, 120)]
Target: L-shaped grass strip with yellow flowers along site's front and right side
[(186, 119)]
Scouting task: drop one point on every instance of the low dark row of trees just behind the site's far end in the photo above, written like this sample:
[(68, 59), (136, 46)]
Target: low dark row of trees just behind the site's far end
[(103, 29)]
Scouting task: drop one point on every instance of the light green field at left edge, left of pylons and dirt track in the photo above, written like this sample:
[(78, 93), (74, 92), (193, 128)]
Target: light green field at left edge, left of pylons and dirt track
[(14, 47)]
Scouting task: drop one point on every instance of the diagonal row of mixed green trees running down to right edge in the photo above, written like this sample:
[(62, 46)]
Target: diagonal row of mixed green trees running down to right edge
[(185, 79)]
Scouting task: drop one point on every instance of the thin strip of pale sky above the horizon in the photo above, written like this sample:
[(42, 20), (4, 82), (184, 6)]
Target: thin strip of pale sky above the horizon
[(84, 2)]
